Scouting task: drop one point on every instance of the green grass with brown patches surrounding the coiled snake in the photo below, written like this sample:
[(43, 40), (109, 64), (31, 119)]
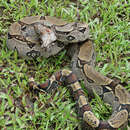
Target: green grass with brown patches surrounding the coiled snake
[(22, 109)]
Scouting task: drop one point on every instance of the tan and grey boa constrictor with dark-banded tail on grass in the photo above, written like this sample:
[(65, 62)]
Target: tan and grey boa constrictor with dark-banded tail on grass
[(45, 36)]
